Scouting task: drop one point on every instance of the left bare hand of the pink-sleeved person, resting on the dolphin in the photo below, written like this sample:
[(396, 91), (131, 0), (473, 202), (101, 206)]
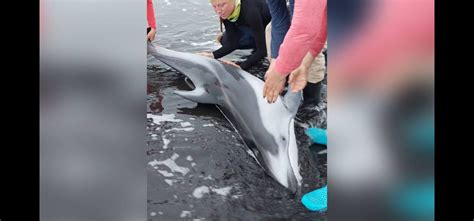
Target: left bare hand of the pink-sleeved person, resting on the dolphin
[(274, 84)]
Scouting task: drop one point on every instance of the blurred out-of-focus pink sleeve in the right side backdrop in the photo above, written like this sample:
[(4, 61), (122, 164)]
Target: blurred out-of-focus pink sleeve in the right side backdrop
[(395, 30)]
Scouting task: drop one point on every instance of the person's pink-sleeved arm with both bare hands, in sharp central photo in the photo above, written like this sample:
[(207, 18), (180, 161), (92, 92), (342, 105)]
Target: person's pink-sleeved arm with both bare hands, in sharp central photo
[(303, 42)]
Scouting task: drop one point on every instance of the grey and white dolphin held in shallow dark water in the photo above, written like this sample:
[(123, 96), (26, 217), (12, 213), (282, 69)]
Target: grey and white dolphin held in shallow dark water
[(267, 129)]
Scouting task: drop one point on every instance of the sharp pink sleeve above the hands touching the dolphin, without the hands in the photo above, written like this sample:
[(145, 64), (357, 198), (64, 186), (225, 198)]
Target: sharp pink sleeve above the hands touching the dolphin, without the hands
[(307, 33)]
